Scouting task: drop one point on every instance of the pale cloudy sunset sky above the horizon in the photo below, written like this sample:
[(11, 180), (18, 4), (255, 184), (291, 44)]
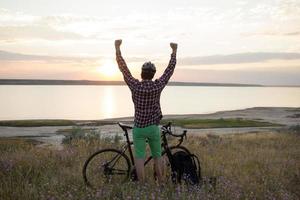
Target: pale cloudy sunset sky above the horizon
[(229, 41)]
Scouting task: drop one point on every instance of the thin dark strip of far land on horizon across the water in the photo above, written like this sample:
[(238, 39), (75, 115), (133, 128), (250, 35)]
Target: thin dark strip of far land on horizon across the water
[(93, 82)]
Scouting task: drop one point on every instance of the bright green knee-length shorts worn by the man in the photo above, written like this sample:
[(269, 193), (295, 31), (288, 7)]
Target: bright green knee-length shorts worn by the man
[(152, 134)]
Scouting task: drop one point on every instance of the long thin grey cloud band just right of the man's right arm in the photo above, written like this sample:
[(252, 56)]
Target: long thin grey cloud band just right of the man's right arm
[(238, 58)]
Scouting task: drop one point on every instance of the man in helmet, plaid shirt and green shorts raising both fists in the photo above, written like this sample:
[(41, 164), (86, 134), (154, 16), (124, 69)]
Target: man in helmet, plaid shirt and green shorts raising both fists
[(147, 115)]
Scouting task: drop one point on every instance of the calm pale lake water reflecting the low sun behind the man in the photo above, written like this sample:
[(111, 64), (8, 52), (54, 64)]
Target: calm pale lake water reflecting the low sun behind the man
[(99, 102)]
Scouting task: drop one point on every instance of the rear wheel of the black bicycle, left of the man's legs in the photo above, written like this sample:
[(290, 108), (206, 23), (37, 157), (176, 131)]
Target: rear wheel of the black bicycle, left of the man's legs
[(106, 166)]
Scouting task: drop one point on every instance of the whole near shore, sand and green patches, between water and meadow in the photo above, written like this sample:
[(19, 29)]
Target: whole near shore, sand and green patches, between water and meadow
[(250, 120)]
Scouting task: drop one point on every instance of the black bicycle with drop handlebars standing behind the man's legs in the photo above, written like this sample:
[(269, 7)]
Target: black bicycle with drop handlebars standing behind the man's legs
[(113, 165)]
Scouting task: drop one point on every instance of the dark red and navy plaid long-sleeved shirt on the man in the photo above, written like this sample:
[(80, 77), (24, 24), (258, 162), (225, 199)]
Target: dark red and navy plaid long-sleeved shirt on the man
[(146, 93)]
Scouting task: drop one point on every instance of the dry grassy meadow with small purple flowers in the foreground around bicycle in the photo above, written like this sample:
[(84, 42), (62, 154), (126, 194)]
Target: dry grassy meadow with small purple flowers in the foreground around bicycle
[(248, 166)]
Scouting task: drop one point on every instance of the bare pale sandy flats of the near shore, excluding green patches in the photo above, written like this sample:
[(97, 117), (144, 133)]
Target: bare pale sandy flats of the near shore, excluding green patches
[(281, 115)]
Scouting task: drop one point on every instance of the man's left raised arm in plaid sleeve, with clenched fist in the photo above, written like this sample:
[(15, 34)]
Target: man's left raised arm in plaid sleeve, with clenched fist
[(128, 78)]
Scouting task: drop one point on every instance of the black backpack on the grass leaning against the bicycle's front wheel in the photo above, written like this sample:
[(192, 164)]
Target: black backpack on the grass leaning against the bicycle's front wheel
[(187, 168)]
